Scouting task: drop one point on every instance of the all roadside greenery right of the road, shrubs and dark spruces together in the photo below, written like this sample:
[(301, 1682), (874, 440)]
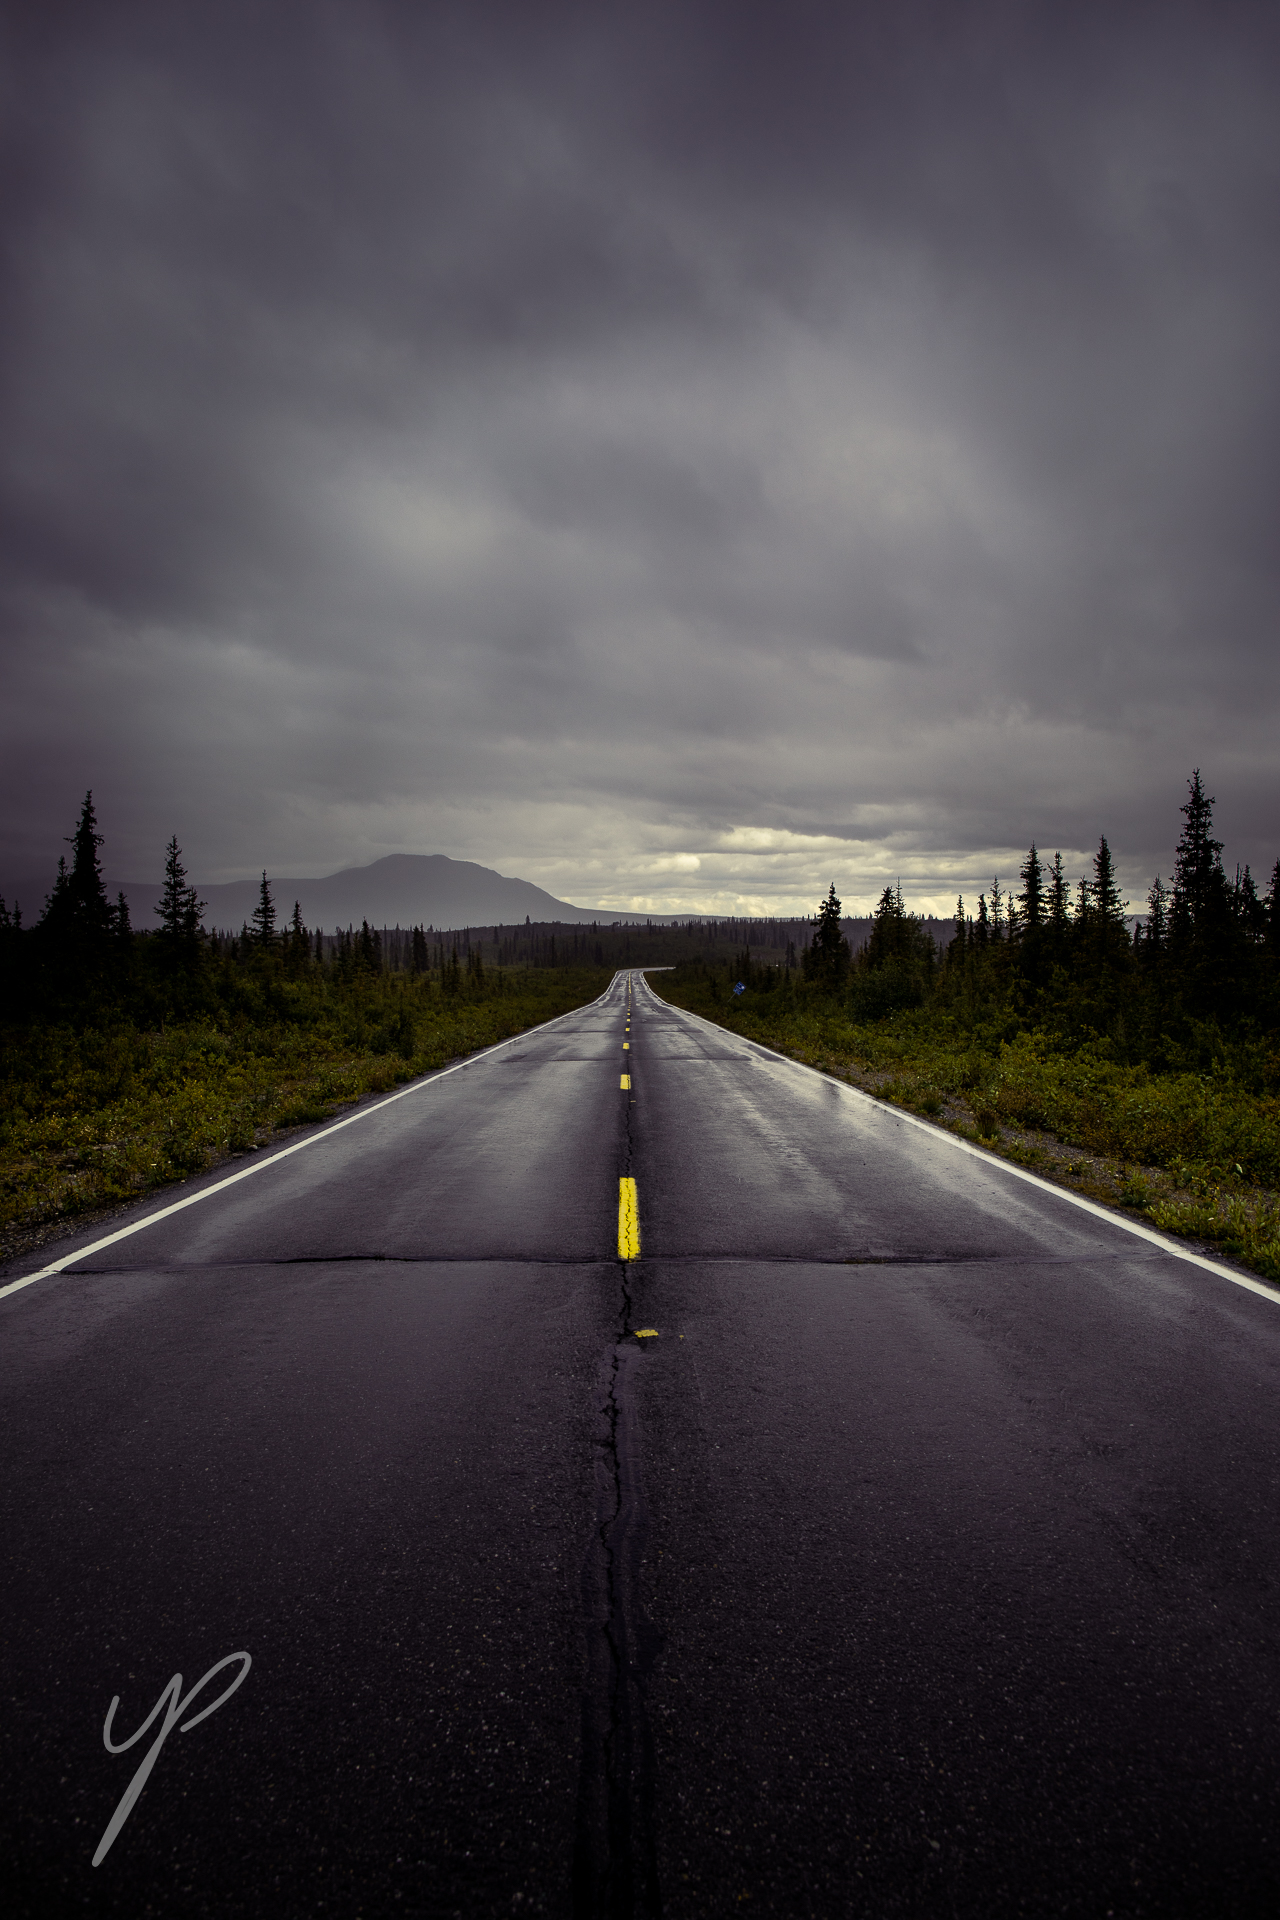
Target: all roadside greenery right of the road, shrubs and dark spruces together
[(1143, 1070)]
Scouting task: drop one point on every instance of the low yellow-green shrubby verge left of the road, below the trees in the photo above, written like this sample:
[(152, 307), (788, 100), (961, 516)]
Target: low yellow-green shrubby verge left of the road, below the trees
[(93, 1120)]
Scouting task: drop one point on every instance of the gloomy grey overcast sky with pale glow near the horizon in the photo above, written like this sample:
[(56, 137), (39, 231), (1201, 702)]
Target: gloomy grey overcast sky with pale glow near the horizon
[(676, 454)]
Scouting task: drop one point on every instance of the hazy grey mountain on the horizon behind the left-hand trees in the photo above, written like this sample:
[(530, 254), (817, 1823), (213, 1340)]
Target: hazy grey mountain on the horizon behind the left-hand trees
[(400, 892)]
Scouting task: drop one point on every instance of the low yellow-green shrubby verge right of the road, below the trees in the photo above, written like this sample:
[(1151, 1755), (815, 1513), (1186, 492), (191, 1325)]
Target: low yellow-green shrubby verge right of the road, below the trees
[(1195, 1155)]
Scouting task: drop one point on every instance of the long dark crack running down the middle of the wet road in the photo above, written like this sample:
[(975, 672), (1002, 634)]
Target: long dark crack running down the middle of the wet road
[(615, 1858)]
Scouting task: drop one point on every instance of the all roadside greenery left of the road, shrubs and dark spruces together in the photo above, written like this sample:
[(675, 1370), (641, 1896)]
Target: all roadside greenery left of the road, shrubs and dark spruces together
[(131, 1061)]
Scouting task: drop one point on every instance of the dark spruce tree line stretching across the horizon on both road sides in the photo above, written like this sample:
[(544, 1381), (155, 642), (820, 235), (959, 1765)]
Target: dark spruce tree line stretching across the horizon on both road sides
[(1047, 953)]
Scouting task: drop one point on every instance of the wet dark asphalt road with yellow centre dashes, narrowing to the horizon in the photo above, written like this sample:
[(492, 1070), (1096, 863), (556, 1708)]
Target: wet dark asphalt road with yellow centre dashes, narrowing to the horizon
[(888, 1537)]
